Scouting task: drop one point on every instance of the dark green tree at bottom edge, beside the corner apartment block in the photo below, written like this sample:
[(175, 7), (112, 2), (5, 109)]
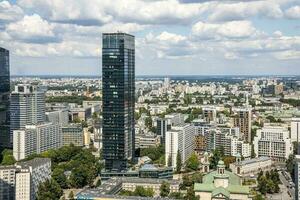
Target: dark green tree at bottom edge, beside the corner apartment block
[(50, 189)]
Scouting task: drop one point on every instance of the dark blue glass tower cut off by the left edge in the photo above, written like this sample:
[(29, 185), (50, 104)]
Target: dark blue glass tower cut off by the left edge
[(5, 138)]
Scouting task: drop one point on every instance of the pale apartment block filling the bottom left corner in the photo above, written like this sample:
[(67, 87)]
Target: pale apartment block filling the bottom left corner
[(21, 181)]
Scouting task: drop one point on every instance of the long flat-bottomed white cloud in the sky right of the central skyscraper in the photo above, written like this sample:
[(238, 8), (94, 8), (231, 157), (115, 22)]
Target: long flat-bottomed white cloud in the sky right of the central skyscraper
[(234, 29)]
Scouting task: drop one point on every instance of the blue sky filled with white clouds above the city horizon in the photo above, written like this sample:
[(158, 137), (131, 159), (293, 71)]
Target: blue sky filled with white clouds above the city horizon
[(173, 37)]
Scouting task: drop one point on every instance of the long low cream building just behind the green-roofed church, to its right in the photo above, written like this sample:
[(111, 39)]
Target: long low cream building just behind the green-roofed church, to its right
[(252, 166)]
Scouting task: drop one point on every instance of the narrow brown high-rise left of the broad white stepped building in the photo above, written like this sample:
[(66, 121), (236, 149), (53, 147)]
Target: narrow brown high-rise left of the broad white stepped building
[(242, 119)]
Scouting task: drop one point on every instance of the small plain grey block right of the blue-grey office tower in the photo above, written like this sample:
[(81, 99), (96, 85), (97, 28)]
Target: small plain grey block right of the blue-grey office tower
[(60, 117)]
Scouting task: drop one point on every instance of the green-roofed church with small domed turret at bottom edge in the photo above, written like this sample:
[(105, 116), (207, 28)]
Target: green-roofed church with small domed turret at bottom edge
[(222, 184)]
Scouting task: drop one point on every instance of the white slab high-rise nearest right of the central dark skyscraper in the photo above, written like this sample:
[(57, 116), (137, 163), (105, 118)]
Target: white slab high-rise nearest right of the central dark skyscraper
[(179, 139)]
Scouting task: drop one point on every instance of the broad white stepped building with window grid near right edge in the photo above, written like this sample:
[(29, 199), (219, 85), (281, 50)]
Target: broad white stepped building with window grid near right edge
[(274, 142)]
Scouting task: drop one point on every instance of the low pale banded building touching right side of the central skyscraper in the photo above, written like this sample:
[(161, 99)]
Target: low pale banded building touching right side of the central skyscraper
[(146, 140)]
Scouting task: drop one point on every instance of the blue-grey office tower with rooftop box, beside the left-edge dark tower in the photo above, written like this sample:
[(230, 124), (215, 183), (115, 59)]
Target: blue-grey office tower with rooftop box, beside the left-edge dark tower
[(27, 106)]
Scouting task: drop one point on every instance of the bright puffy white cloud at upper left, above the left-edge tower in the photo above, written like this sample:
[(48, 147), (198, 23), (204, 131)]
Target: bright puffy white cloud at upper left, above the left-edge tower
[(32, 29)]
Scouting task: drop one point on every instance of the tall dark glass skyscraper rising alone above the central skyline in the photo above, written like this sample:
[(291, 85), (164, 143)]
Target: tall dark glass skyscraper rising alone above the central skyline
[(118, 79)]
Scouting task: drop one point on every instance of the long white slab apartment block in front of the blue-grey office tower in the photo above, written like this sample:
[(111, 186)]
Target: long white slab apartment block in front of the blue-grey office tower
[(36, 139)]
